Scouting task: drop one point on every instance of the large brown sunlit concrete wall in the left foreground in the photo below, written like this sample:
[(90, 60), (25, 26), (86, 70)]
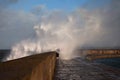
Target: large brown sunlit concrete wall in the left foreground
[(35, 67)]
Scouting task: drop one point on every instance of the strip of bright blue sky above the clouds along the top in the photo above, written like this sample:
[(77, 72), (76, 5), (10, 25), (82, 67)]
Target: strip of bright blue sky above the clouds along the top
[(66, 5)]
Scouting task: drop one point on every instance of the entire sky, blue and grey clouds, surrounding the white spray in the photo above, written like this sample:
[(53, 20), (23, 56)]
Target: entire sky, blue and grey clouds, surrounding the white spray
[(18, 18)]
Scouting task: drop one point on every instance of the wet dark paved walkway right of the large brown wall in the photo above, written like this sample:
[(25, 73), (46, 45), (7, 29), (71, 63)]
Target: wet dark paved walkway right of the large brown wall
[(79, 69)]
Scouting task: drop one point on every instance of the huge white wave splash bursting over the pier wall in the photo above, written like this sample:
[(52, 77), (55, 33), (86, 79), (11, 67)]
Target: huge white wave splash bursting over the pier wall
[(59, 31)]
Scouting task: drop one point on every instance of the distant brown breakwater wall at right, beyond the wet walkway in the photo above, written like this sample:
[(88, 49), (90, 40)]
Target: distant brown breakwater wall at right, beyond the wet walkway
[(101, 53)]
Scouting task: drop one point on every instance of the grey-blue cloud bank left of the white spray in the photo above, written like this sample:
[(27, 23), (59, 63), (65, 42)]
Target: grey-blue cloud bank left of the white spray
[(15, 26)]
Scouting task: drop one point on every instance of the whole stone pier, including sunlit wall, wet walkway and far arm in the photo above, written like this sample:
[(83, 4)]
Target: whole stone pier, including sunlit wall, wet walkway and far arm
[(48, 66)]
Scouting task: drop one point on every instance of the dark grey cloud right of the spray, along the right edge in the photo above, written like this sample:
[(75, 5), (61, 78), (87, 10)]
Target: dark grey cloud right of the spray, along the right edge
[(110, 17)]
